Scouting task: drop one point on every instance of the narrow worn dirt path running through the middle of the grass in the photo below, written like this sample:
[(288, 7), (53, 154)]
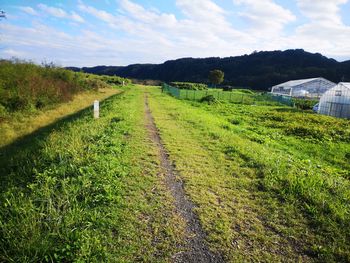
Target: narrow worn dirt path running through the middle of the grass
[(196, 249)]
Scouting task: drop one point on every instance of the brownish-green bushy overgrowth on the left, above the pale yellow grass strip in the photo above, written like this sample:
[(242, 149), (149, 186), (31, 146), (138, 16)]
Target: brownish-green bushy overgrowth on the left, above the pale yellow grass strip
[(26, 87)]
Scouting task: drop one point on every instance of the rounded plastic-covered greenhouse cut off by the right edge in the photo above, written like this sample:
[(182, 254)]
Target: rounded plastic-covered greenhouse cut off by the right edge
[(336, 101)]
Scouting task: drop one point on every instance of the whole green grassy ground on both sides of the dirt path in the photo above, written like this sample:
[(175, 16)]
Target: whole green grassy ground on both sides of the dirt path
[(268, 183)]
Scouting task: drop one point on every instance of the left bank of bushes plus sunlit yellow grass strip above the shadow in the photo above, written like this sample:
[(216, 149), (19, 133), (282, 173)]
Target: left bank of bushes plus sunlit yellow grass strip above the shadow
[(33, 96)]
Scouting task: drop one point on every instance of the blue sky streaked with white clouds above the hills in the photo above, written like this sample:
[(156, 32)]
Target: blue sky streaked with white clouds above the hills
[(123, 32)]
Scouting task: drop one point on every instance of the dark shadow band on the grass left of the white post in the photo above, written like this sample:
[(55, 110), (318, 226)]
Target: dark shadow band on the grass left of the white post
[(16, 158)]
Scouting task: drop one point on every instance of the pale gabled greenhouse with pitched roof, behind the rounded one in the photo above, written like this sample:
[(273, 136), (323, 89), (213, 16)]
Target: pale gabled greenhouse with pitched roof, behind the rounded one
[(304, 88)]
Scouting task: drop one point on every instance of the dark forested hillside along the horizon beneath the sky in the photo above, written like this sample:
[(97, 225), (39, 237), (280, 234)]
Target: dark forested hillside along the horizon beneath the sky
[(259, 70)]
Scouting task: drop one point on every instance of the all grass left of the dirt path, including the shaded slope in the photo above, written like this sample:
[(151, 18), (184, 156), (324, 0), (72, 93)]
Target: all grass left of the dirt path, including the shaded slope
[(87, 190)]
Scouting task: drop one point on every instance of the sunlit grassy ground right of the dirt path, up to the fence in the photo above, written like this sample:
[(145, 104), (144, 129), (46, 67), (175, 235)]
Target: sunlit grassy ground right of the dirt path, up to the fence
[(271, 183)]
